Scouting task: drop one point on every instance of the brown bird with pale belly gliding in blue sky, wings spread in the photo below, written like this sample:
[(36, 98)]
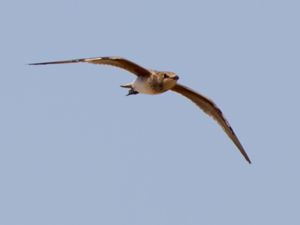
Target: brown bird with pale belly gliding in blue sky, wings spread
[(154, 82)]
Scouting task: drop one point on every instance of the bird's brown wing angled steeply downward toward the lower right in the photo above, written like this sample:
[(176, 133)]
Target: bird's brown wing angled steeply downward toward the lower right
[(211, 109)]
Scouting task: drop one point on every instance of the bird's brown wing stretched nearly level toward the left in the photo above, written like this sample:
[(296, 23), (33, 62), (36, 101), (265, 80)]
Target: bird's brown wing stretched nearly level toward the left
[(113, 61)]
